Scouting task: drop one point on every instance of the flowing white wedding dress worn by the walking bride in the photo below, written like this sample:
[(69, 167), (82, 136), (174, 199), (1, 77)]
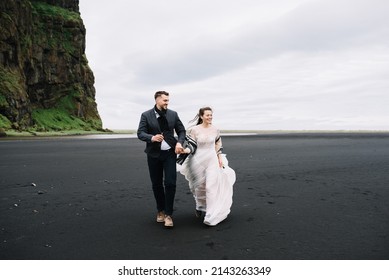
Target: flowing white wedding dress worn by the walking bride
[(211, 185)]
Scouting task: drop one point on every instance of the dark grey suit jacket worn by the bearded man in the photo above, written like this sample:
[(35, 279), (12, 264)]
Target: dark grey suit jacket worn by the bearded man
[(149, 126)]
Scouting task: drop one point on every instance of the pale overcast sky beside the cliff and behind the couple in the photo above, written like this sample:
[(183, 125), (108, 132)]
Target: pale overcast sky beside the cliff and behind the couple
[(263, 65)]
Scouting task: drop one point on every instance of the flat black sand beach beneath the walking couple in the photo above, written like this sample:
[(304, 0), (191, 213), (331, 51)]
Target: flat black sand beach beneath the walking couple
[(297, 196)]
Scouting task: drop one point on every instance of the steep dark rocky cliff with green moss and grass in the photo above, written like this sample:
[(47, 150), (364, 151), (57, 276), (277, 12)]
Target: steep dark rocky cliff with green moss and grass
[(45, 81)]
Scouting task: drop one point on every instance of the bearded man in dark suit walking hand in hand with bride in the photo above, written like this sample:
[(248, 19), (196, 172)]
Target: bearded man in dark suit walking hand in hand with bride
[(156, 128)]
